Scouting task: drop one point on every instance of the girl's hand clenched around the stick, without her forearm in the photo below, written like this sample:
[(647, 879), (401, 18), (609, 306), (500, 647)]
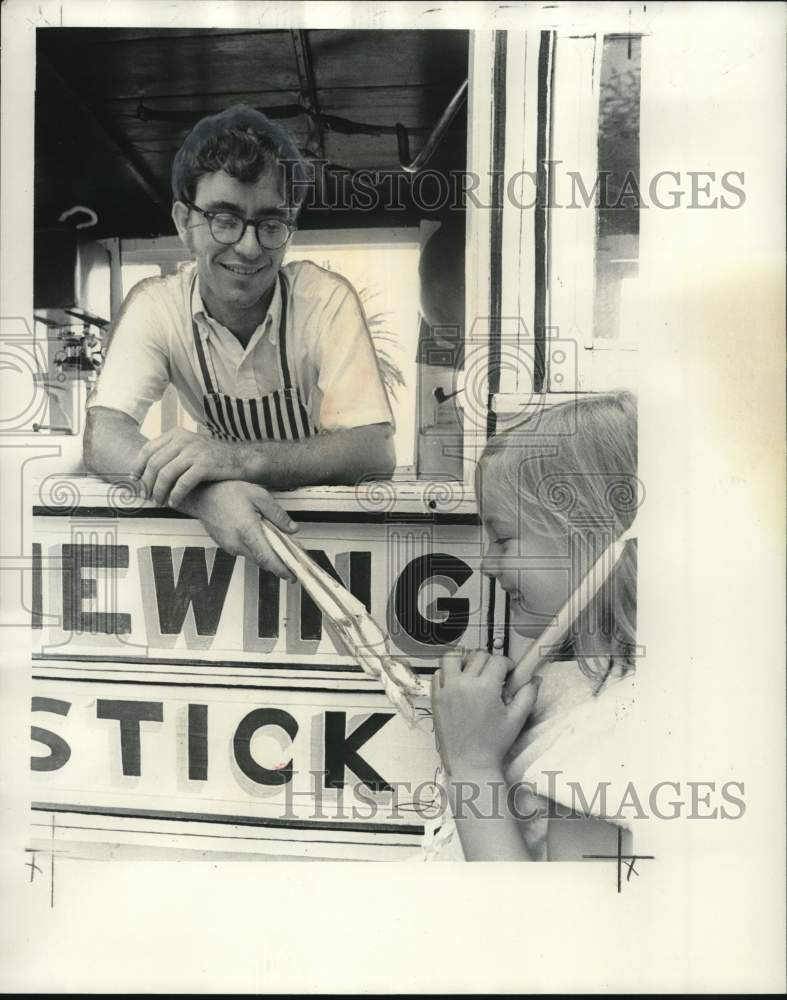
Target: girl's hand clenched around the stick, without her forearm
[(475, 728)]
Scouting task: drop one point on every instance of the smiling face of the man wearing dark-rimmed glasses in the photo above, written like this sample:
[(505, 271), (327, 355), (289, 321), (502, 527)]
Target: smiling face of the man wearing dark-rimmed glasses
[(233, 277)]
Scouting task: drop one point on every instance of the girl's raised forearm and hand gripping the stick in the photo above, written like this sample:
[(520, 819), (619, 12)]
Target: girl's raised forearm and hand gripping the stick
[(475, 729)]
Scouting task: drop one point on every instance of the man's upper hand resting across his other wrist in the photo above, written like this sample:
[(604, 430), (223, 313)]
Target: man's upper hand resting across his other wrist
[(172, 465)]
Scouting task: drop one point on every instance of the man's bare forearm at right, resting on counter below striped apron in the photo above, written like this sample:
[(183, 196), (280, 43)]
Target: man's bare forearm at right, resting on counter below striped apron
[(343, 457)]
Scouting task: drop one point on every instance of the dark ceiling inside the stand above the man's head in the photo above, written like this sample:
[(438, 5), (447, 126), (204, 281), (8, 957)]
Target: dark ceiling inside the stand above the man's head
[(113, 106)]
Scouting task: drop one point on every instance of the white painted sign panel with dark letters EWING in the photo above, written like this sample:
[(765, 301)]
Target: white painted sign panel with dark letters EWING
[(135, 587)]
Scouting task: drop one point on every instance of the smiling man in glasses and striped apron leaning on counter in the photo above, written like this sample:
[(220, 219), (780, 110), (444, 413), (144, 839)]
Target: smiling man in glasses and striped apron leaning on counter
[(274, 363)]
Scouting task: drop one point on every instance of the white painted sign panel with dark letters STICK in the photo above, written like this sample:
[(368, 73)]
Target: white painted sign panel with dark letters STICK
[(341, 770)]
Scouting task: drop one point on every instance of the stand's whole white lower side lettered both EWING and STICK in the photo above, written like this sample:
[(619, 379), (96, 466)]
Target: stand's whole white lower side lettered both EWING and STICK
[(186, 698)]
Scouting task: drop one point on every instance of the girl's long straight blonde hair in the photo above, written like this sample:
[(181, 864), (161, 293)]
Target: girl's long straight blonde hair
[(571, 469)]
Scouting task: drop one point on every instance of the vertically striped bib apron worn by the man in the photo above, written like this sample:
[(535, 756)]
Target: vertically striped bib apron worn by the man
[(279, 416)]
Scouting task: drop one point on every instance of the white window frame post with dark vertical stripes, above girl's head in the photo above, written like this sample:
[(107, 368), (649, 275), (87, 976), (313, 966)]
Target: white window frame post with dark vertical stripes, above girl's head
[(549, 278)]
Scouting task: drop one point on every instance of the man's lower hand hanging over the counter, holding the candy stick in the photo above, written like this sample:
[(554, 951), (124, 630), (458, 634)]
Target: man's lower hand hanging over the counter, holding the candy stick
[(231, 513)]
